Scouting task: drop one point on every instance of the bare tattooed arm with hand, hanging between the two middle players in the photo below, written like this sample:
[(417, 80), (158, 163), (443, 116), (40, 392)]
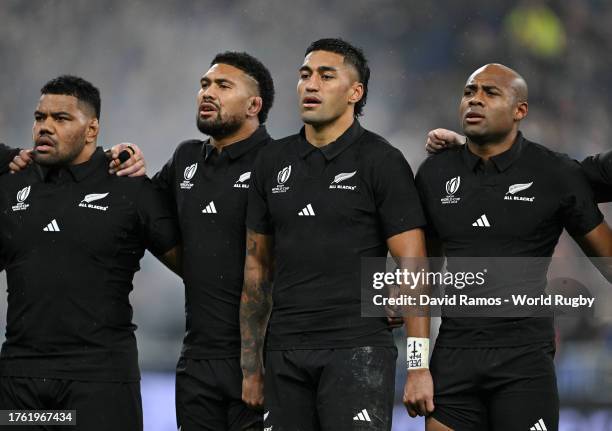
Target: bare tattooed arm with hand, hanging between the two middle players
[(255, 307)]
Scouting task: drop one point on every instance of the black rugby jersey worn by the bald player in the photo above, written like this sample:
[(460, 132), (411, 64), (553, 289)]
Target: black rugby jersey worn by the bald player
[(514, 206)]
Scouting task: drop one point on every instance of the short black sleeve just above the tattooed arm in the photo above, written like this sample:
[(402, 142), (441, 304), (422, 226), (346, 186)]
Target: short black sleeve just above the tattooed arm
[(258, 214)]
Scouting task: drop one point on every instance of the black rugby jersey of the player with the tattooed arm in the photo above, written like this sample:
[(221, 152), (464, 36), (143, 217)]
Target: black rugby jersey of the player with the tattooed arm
[(327, 208)]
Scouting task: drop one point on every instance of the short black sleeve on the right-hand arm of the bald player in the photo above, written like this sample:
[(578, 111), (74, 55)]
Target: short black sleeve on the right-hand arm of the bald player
[(579, 212)]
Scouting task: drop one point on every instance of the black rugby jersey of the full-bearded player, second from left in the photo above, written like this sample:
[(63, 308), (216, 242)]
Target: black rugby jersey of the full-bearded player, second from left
[(209, 193)]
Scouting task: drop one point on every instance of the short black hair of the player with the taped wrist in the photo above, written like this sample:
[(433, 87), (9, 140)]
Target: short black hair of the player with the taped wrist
[(353, 56)]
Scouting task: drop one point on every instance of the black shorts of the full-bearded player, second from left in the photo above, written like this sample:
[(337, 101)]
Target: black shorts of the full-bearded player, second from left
[(209, 396)]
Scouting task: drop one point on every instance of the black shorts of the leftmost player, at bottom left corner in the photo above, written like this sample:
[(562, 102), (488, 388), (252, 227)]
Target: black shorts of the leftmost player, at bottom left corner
[(100, 406)]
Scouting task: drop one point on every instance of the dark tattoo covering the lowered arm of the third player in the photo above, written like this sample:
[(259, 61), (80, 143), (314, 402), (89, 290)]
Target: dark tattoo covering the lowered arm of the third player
[(255, 303)]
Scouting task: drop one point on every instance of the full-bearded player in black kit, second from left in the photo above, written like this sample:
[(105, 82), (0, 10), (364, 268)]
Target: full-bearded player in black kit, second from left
[(206, 182)]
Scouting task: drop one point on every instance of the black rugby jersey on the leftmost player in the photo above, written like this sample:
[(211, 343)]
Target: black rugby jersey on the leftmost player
[(70, 241)]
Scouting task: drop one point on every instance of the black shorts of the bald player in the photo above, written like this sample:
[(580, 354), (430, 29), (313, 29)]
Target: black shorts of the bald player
[(501, 389)]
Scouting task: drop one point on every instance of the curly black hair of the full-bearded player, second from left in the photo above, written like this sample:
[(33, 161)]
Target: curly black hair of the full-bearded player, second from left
[(256, 70)]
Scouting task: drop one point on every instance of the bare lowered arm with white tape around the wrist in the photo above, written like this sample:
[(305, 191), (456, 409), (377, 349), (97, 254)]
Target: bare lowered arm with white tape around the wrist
[(408, 248)]
